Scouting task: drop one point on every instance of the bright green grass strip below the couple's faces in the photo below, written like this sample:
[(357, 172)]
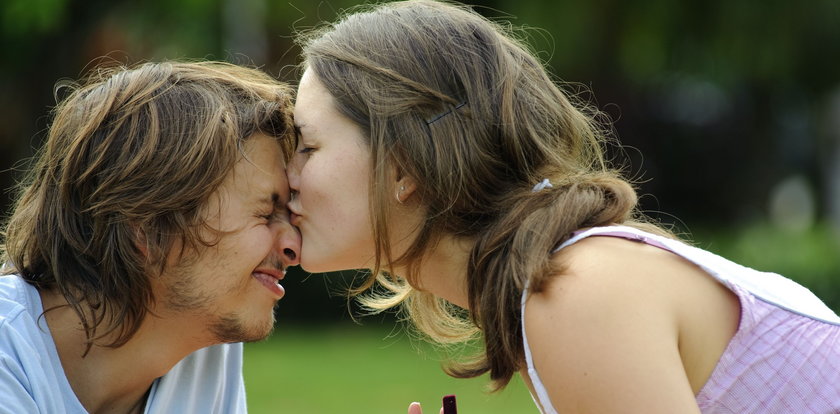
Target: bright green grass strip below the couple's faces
[(346, 368)]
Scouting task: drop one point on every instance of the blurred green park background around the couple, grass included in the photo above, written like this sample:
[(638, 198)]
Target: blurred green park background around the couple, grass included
[(729, 112)]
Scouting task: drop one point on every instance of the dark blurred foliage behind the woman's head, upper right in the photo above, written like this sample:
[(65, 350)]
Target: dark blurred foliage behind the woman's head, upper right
[(718, 97)]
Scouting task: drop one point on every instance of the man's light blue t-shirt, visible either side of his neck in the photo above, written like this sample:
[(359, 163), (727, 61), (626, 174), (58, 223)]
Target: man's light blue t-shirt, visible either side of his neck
[(33, 381)]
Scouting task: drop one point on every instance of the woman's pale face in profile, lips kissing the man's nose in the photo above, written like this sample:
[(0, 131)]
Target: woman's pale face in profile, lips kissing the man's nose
[(330, 175)]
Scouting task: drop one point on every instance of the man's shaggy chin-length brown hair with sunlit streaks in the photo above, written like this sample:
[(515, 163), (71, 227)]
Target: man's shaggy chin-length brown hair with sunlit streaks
[(130, 160)]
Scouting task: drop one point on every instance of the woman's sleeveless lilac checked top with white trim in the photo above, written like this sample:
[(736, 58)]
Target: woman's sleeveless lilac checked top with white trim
[(784, 357)]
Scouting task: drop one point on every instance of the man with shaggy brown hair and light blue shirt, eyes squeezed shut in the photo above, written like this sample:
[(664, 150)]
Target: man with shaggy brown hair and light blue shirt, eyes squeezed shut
[(147, 243)]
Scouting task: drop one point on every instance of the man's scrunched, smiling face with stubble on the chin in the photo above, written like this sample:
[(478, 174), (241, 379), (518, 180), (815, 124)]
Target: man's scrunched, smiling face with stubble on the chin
[(231, 286)]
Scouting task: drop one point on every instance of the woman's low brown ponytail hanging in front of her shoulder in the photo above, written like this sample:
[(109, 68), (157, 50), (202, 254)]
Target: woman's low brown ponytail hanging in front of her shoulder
[(516, 251)]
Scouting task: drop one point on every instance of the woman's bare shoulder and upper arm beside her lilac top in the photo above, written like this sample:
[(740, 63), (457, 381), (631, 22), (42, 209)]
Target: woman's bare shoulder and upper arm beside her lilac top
[(608, 335)]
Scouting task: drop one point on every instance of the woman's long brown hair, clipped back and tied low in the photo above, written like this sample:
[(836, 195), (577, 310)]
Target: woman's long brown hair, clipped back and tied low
[(456, 102)]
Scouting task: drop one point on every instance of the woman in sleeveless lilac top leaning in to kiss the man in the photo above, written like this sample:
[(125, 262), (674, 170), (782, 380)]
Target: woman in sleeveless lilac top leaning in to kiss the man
[(436, 151)]
